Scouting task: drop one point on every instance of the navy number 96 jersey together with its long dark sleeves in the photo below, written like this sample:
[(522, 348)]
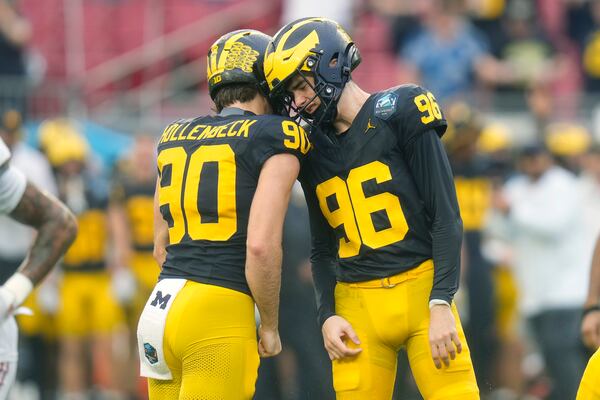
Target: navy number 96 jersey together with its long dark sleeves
[(381, 195)]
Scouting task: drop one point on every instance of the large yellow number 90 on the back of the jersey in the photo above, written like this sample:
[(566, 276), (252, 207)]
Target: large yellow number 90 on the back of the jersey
[(180, 162)]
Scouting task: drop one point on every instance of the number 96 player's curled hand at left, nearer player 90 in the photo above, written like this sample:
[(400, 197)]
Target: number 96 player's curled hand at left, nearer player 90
[(336, 330)]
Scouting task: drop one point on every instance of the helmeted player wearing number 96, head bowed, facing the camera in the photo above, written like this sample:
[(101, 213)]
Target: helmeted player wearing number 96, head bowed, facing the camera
[(384, 218)]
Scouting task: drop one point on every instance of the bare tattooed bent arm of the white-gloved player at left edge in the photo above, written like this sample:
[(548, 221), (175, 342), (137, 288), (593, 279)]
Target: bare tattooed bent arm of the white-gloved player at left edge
[(56, 230)]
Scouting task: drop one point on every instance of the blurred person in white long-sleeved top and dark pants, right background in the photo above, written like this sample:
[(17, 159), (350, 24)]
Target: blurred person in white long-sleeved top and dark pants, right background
[(542, 213)]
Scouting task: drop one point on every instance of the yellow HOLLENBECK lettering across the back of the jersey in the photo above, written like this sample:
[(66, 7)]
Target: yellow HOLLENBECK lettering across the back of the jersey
[(189, 131)]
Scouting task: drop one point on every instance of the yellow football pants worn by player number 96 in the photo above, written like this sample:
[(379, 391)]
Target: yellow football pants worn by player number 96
[(385, 319)]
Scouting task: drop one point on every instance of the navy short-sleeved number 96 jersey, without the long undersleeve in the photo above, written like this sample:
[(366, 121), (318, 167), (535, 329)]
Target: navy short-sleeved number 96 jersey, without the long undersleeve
[(361, 194)]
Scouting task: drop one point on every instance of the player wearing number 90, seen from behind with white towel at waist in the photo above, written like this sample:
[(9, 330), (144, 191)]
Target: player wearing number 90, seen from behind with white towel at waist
[(221, 196)]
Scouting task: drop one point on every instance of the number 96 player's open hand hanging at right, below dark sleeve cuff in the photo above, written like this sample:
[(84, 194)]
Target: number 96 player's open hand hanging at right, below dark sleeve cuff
[(443, 336)]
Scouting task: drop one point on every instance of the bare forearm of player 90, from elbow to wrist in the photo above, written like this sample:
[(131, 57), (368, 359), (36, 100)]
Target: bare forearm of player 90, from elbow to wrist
[(263, 273)]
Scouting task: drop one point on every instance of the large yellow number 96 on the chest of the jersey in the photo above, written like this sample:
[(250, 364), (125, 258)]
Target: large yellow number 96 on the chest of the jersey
[(355, 209)]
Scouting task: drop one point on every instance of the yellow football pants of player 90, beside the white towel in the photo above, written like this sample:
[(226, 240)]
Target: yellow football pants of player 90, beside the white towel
[(209, 345)]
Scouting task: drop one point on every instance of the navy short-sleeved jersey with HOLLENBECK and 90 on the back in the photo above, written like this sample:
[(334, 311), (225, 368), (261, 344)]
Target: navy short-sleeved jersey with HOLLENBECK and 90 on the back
[(208, 174)]
